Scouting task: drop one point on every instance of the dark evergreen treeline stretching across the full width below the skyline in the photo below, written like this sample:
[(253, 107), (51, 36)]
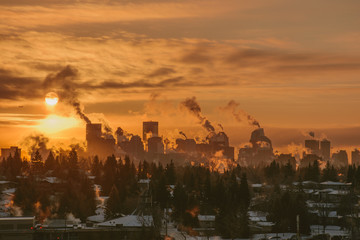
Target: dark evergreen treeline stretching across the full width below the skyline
[(188, 191)]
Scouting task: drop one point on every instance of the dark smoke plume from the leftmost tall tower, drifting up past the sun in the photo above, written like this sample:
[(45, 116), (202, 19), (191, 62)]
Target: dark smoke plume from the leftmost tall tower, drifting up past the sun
[(63, 83)]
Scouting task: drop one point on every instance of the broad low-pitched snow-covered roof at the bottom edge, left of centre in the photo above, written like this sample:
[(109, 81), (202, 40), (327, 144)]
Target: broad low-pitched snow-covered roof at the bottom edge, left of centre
[(129, 221)]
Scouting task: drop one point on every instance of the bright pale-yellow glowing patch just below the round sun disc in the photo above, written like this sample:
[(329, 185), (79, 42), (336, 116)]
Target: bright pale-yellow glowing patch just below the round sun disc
[(54, 123)]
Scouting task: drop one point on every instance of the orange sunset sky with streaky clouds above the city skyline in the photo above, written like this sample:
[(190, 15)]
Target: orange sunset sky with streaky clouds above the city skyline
[(292, 65)]
